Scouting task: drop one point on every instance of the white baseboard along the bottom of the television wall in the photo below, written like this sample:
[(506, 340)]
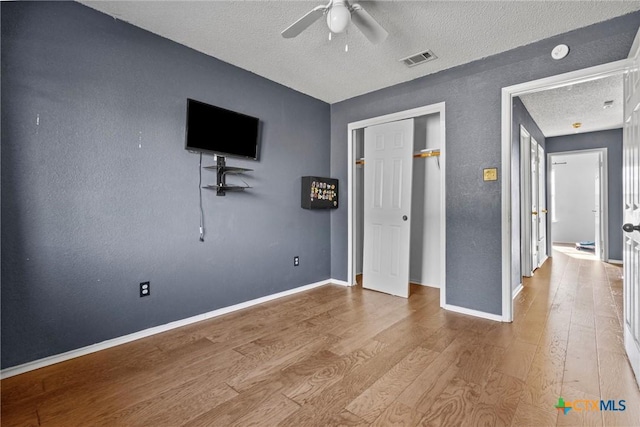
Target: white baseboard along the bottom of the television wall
[(51, 360)]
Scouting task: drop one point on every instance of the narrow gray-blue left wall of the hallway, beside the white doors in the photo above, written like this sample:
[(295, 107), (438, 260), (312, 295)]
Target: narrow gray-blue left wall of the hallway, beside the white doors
[(520, 116)]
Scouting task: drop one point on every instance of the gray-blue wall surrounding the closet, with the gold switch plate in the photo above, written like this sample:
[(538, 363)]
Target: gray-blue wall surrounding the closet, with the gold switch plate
[(473, 114)]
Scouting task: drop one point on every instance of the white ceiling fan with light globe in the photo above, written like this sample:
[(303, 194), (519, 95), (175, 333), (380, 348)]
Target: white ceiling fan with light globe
[(339, 14)]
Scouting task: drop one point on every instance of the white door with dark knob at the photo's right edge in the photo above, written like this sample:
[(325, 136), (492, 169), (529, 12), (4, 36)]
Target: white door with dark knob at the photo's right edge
[(631, 195)]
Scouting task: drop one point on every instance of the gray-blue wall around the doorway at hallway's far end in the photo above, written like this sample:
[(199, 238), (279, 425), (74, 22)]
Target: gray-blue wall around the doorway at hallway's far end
[(612, 141)]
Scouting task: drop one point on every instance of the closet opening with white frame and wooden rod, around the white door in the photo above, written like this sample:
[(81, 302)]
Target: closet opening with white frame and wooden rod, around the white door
[(426, 242)]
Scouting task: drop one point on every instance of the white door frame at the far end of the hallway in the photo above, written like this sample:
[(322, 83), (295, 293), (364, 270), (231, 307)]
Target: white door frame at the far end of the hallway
[(604, 196)]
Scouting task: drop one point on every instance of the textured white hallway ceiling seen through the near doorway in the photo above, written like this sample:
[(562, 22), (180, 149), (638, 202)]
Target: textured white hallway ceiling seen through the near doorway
[(554, 111)]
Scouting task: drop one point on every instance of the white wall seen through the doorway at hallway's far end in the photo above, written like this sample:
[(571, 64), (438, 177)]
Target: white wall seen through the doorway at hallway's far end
[(573, 197)]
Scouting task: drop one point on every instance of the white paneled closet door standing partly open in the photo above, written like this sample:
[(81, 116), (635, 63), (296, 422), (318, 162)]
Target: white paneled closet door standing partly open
[(388, 153)]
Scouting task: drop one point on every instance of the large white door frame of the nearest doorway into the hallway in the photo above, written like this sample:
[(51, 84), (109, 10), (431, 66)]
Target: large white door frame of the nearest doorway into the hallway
[(508, 93)]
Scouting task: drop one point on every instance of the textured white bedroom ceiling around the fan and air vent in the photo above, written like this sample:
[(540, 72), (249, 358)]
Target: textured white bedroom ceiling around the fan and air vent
[(247, 34)]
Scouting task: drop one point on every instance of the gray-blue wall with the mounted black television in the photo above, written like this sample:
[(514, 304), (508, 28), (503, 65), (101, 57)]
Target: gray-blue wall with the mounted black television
[(98, 193)]
